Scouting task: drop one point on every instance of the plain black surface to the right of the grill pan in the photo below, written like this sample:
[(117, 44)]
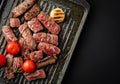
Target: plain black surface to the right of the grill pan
[(96, 59)]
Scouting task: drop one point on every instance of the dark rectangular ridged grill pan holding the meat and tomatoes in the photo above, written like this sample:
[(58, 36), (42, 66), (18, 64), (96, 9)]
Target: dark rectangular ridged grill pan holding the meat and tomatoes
[(76, 12)]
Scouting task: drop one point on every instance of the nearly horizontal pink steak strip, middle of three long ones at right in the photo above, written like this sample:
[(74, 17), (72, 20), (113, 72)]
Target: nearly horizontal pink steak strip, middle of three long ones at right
[(46, 37)]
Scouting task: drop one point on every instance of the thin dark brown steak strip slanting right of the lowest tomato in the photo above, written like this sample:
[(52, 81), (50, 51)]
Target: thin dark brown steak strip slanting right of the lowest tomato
[(46, 61)]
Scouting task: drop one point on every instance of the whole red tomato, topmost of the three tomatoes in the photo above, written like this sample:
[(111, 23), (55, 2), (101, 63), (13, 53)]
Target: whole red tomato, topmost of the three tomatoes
[(13, 48)]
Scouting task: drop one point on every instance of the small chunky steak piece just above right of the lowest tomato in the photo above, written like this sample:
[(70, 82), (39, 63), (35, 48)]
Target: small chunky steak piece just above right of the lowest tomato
[(36, 55)]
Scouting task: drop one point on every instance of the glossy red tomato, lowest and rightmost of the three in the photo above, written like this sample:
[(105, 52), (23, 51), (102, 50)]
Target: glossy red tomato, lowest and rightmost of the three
[(28, 66)]
